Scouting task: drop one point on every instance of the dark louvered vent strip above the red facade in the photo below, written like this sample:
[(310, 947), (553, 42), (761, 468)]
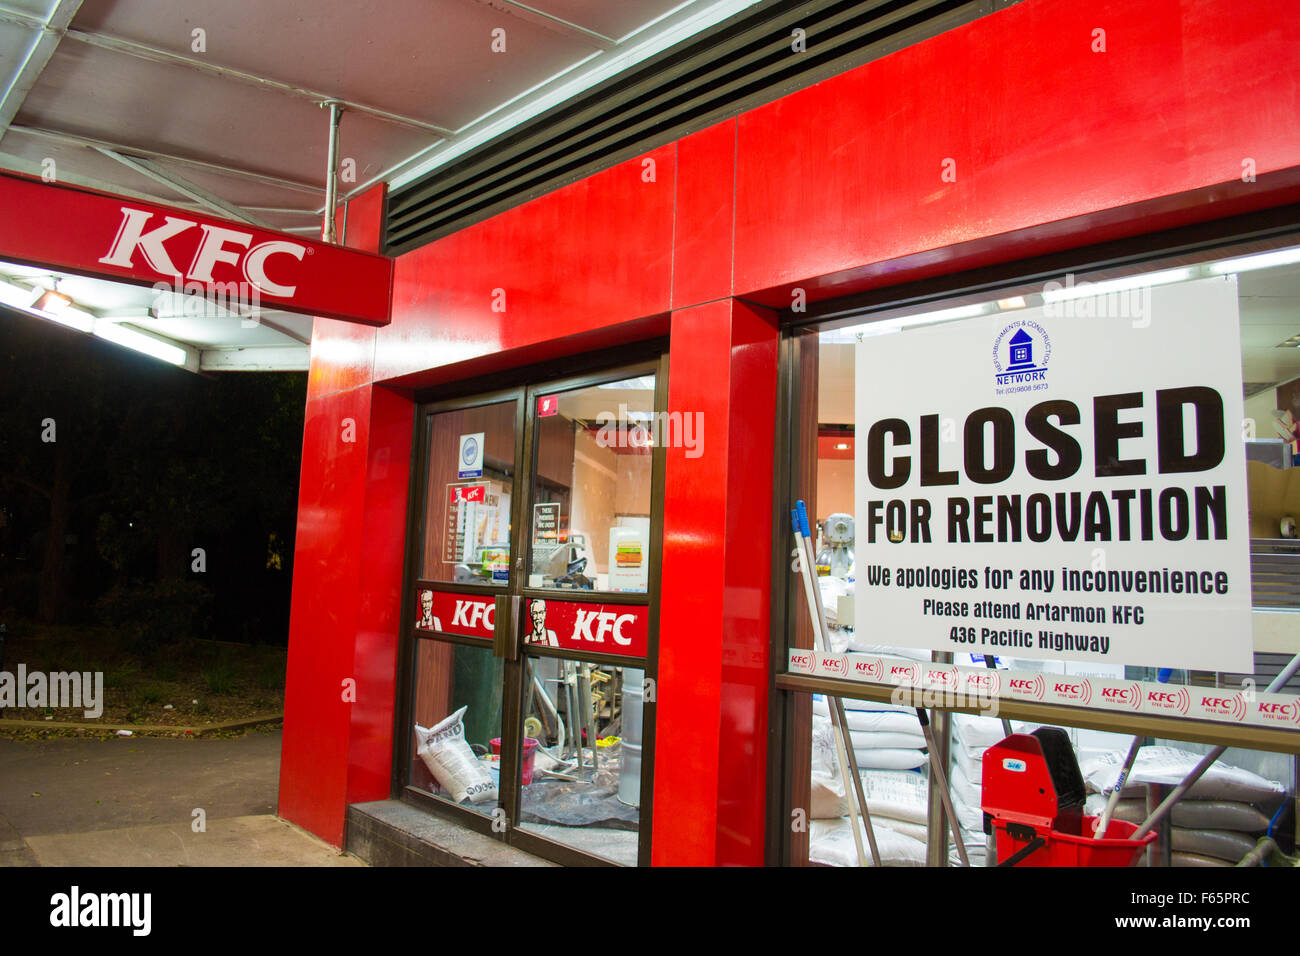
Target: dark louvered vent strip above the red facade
[(708, 79)]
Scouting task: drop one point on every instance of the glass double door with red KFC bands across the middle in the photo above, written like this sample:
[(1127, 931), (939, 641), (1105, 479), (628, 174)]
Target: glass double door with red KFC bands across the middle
[(535, 576)]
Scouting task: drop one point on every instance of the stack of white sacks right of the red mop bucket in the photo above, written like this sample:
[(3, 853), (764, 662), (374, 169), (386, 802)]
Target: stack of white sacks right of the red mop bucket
[(1219, 821)]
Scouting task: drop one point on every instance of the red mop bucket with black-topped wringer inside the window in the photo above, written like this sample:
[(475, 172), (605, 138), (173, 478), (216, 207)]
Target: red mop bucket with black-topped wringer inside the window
[(1033, 795)]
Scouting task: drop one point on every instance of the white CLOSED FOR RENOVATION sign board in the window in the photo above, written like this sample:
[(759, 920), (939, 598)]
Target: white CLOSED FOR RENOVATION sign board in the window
[(1063, 483)]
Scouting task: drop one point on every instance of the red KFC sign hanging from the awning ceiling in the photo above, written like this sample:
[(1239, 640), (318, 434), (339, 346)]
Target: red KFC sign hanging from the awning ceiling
[(99, 235)]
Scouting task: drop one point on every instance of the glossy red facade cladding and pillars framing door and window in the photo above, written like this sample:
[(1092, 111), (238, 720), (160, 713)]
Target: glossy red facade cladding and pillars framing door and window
[(1054, 145)]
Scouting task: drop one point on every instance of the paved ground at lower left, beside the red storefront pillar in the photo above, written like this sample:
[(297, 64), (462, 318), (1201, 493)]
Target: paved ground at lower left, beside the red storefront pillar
[(150, 802)]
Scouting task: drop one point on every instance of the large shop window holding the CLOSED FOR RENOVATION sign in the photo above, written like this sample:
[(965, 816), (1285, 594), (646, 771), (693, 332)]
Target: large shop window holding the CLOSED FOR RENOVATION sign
[(851, 449)]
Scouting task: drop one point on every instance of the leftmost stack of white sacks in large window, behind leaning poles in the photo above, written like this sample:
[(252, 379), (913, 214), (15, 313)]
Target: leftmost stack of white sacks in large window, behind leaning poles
[(896, 799)]
